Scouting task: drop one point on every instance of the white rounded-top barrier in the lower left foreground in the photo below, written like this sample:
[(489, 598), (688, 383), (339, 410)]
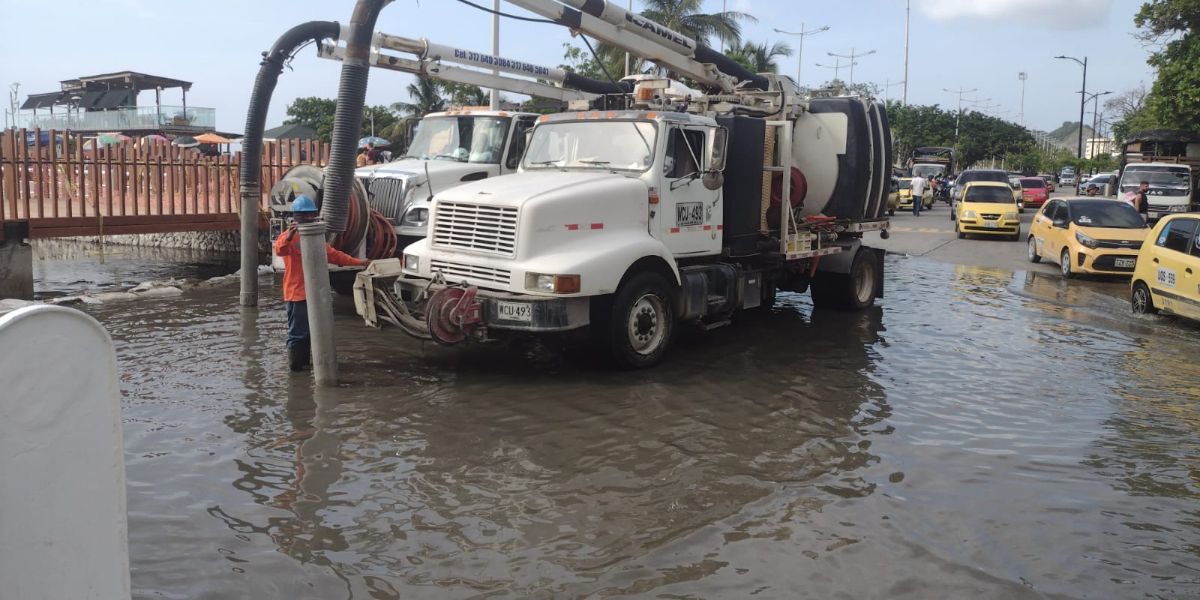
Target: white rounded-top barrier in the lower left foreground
[(63, 527)]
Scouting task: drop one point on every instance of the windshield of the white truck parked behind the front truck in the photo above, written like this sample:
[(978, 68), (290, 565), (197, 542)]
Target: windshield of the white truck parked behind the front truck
[(460, 139)]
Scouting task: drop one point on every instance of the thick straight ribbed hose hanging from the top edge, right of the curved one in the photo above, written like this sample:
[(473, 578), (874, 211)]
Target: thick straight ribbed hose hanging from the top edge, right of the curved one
[(349, 121)]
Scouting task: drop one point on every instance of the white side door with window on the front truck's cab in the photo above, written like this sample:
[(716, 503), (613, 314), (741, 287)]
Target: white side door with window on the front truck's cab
[(689, 218)]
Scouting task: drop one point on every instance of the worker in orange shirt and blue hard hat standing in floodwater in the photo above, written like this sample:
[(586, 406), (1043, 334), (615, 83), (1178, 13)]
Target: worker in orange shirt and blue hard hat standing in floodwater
[(287, 248)]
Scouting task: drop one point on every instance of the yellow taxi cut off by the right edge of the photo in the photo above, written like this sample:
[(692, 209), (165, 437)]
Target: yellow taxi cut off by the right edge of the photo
[(1168, 274)]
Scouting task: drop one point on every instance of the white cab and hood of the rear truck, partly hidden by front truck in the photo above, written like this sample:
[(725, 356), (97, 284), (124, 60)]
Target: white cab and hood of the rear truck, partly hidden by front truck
[(448, 149)]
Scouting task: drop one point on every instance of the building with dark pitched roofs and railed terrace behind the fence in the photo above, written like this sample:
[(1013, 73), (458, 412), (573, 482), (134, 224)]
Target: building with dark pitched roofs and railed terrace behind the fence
[(109, 103)]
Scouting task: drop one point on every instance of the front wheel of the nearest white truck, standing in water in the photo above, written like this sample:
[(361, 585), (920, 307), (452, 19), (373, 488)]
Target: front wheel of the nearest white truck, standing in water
[(641, 323)]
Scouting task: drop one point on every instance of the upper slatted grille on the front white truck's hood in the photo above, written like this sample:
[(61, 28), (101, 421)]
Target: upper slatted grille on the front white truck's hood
[(489, 230)]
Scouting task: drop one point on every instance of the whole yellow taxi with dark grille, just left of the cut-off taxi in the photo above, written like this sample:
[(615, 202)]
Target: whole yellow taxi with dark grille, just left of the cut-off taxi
[(1093, 236)]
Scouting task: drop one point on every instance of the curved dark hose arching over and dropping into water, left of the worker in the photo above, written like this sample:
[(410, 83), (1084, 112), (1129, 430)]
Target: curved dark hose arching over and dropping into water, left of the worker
[(253, 142)]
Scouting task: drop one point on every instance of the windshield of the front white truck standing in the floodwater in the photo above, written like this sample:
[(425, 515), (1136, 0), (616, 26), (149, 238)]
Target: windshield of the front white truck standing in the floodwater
[(596, 145)]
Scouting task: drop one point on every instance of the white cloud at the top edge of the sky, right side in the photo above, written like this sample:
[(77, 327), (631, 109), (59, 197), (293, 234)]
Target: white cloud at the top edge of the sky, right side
[(1039, 14)]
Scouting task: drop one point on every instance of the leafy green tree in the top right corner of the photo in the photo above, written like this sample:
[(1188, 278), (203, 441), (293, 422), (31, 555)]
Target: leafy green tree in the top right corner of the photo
[(1174, 101)]
